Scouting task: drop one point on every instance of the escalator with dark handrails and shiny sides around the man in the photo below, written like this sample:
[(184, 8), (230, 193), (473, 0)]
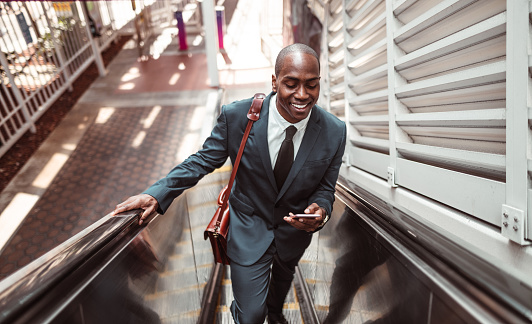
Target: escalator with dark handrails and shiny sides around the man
[(370, 264)]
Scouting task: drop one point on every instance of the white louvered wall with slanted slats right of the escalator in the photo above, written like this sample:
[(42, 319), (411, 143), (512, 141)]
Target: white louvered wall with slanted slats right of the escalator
[(437, 96)]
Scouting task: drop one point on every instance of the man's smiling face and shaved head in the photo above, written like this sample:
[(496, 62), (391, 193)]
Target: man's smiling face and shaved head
[(297, 86)]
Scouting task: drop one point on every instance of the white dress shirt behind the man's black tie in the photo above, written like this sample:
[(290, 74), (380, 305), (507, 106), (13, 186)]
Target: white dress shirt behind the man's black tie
[(276, 131)]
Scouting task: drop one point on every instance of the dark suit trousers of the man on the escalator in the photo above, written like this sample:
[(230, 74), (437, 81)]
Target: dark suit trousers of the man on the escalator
[(261, 288)]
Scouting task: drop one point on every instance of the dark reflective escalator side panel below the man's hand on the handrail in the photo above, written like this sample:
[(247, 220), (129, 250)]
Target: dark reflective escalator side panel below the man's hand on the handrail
[(123, 292)]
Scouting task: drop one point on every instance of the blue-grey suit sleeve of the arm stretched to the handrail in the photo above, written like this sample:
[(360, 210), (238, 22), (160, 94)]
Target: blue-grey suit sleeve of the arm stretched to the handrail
[(211, 156)]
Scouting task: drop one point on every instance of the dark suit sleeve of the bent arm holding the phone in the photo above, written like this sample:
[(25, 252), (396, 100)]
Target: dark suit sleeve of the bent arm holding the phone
[(324, 193)]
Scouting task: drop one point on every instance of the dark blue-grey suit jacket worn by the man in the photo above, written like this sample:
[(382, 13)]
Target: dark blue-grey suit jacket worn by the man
[(257, 208)]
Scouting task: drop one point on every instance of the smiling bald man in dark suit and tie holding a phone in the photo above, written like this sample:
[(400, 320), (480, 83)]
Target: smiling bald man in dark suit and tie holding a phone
[(264, 234)]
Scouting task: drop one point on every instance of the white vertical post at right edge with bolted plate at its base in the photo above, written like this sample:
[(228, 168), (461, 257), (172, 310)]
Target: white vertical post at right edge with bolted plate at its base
[(515, 211)]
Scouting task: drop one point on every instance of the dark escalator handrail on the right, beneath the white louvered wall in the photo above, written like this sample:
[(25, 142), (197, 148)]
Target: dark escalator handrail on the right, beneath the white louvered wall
[(506, 296)]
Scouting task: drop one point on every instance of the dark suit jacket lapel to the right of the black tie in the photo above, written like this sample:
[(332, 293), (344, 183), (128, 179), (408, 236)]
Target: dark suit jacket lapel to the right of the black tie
[(311, 135)]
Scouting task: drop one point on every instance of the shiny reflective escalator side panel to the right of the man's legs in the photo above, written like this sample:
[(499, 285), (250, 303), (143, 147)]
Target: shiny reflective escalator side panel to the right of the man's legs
[(359, 270)]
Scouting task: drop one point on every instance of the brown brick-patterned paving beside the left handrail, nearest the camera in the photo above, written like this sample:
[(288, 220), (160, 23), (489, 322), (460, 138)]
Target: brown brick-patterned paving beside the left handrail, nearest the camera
[(114, 159)]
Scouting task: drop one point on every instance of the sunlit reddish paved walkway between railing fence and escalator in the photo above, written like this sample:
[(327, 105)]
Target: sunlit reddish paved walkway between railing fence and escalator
[(128, 130)]
